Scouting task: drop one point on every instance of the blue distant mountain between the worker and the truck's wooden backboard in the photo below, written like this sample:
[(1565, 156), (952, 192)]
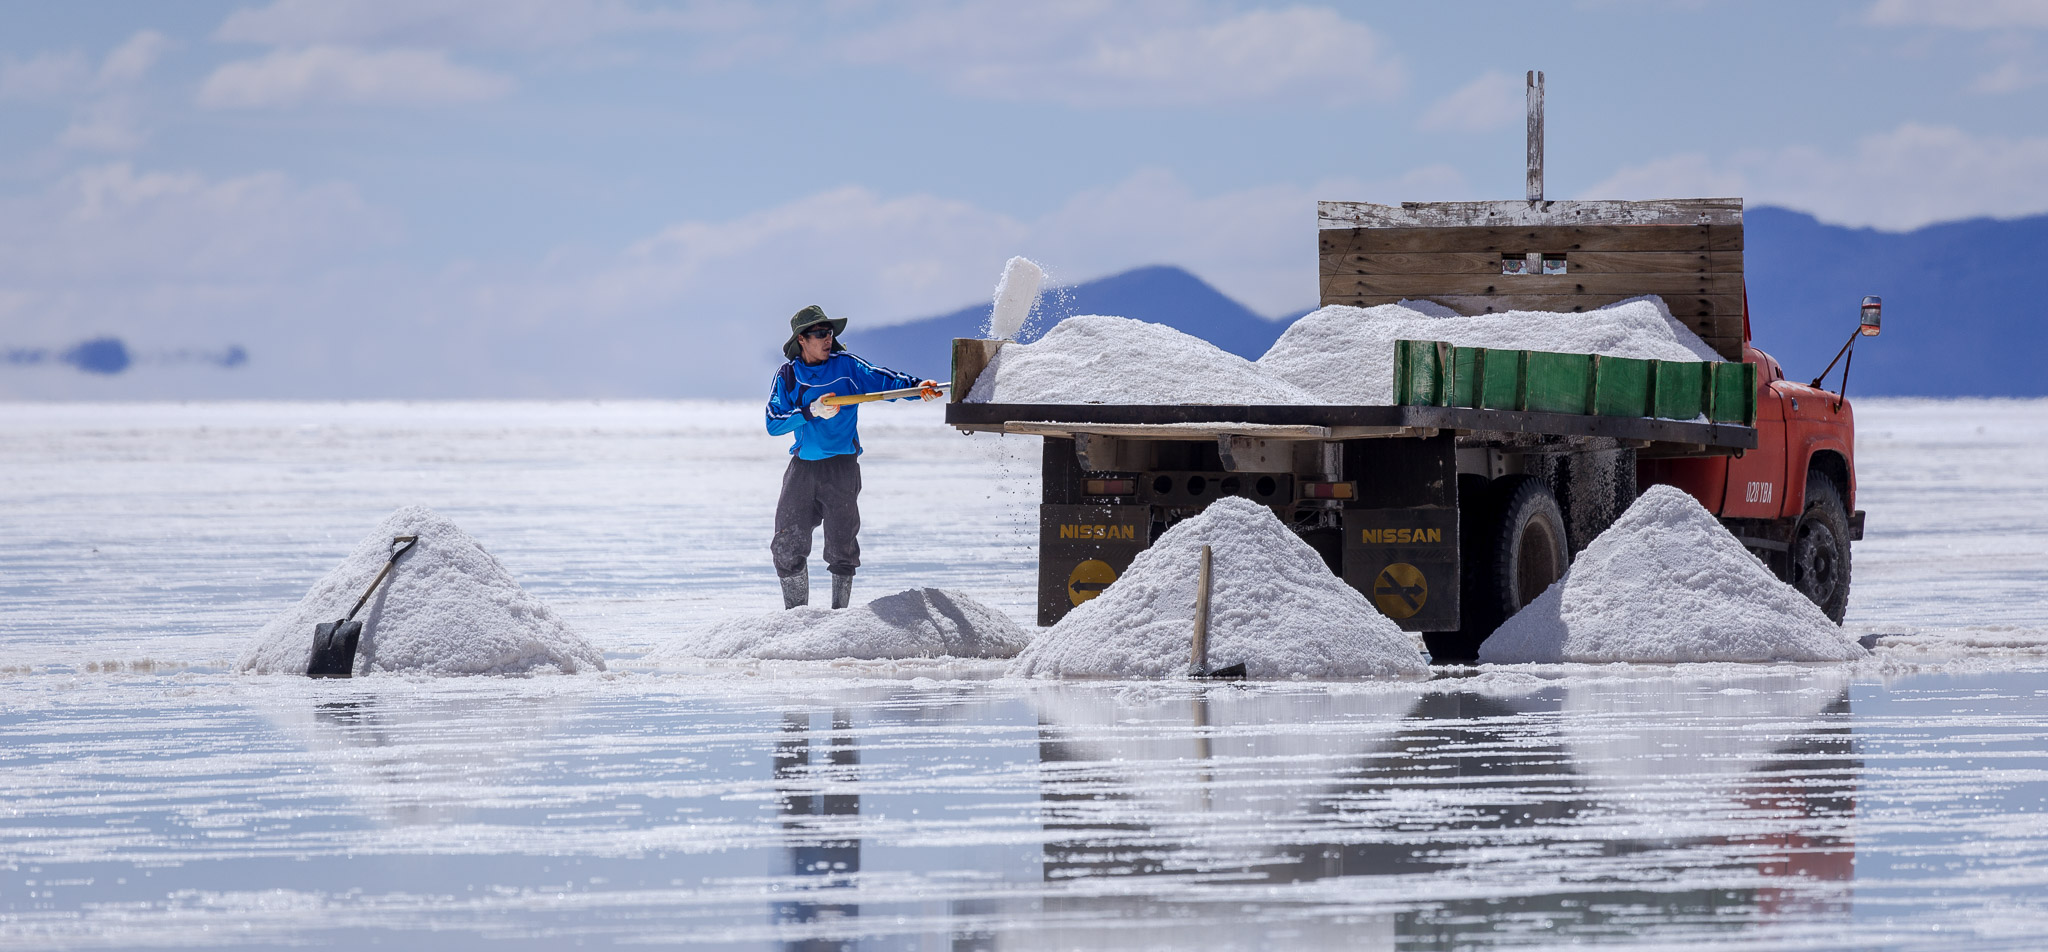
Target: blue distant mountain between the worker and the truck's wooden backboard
[(1158, 294)]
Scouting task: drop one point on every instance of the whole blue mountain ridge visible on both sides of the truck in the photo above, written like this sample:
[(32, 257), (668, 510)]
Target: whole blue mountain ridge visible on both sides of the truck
[(1953, 302)]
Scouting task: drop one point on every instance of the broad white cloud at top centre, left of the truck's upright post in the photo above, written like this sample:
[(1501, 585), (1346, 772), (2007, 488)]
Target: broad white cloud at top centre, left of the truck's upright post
[(1136, 54)]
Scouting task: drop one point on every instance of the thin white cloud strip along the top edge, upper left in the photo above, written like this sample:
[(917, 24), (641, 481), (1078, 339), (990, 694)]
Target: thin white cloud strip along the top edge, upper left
[(460, 24)]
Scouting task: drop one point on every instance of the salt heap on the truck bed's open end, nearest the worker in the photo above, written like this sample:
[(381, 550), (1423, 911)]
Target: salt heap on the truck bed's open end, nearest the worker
[(1099, 359)]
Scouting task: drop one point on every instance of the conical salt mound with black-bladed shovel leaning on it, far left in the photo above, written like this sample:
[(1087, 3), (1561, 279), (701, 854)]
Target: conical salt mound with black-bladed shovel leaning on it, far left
[(445, 609)]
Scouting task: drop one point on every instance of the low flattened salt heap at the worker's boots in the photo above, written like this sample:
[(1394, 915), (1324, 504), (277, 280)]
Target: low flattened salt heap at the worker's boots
[(919, 623)]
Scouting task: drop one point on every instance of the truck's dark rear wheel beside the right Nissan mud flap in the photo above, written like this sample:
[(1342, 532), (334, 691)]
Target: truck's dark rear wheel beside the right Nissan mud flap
[(1512, 546)]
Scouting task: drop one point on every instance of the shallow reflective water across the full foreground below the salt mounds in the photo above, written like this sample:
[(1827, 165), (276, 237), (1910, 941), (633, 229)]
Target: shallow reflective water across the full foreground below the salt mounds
[(996, 816)]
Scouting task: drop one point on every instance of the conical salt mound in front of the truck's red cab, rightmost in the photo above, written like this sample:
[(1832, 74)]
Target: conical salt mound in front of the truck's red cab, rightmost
[(1668, 585)]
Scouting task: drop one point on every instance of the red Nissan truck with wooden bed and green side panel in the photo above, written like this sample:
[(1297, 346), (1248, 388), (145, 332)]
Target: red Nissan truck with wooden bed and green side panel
[(1471, 494)]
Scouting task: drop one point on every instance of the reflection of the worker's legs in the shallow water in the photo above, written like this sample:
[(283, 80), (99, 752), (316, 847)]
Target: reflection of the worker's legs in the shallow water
[(814, 822)]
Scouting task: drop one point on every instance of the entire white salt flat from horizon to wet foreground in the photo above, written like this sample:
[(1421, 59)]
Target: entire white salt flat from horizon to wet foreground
[(157, 799)]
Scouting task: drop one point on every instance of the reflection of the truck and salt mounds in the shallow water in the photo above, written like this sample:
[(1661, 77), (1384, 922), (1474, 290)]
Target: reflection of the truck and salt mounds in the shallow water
[(1580, 814)]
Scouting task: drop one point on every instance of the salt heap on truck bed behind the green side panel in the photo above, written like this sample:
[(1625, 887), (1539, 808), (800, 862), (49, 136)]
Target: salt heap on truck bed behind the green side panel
[(1347, 355)]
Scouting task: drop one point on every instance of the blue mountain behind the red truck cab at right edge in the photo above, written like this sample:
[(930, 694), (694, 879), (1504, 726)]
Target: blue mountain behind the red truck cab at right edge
[(1963, 302)]
